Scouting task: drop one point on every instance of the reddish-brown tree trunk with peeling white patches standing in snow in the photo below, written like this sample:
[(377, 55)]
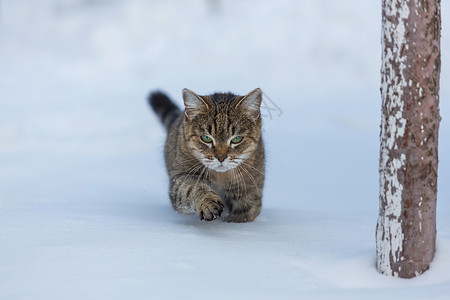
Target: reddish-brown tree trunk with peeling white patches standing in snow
[(406, 228)]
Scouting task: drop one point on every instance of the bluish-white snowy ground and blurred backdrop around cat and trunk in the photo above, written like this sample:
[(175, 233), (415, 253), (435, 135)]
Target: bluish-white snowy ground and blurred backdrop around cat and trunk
[(84, 211)]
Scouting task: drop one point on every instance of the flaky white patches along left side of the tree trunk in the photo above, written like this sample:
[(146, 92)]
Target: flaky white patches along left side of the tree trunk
[(389, 230)]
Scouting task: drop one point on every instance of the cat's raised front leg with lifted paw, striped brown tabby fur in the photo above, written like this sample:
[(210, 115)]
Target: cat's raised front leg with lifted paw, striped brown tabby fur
[(188, 195)]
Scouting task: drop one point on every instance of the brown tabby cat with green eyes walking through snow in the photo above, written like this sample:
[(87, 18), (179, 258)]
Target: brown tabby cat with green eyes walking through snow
[(214, 154)]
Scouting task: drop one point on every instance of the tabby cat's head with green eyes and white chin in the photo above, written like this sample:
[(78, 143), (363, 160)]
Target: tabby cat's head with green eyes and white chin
[(222, 129)]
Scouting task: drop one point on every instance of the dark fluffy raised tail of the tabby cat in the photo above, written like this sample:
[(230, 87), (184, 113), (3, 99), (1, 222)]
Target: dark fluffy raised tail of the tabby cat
[(166, 110)]
